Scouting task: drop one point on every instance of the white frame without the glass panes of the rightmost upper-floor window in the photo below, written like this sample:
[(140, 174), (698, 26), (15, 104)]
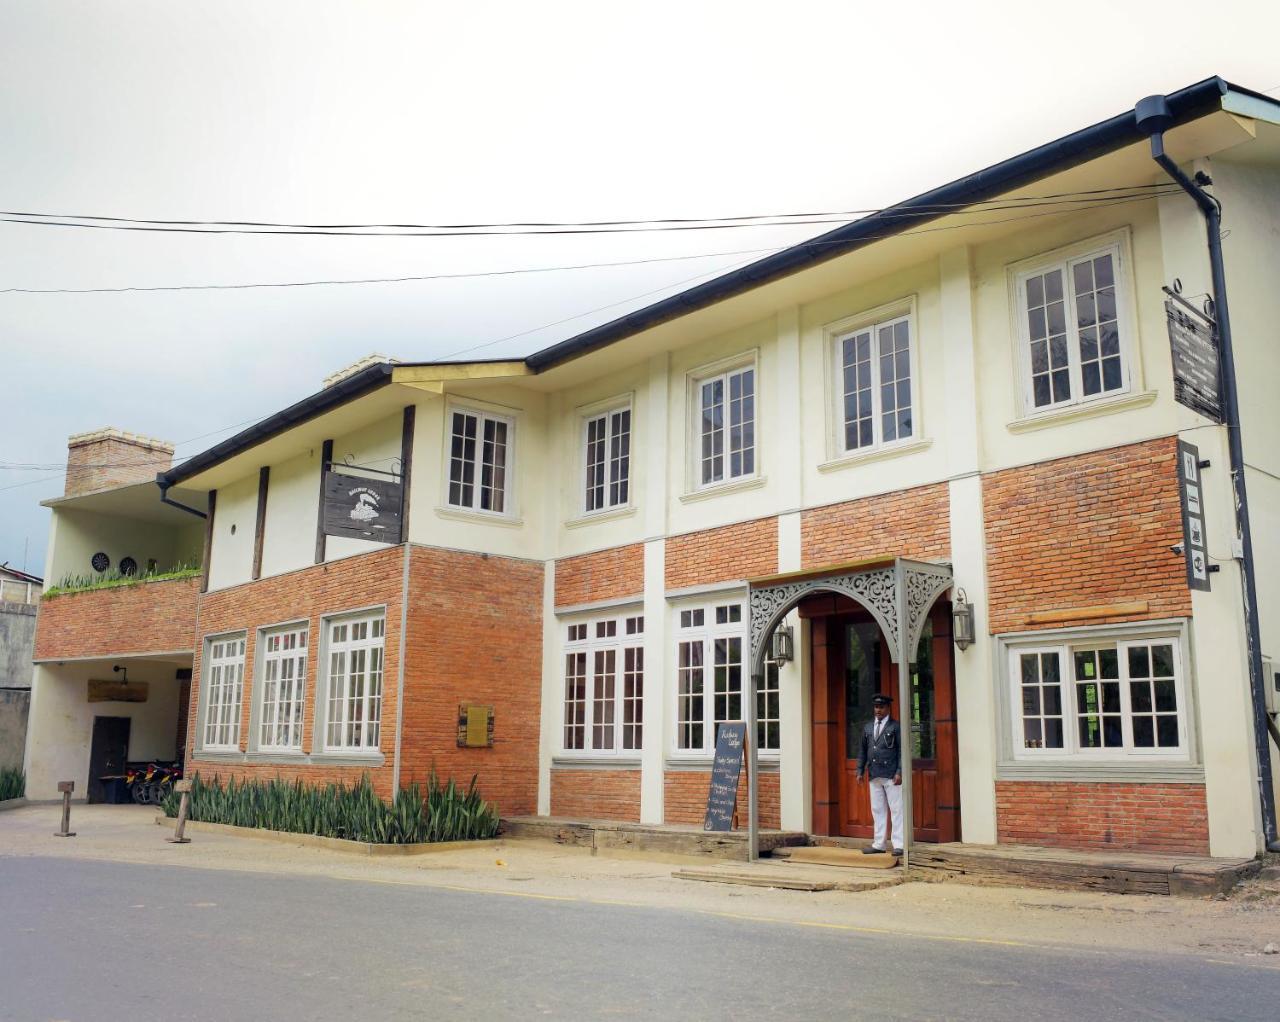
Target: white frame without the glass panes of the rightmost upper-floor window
[(1118, 247)]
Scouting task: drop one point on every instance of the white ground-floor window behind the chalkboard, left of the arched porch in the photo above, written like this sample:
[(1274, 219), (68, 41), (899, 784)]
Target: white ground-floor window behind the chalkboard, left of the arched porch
[(711, 651)]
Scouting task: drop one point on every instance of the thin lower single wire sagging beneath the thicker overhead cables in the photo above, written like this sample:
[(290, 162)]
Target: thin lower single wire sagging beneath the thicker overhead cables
[(812, 243)]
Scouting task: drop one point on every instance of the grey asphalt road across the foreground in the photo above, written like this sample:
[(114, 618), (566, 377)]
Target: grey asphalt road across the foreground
[(98, 941)]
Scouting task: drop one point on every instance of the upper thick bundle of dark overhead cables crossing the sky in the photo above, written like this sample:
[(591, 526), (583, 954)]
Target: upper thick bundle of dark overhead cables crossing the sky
[(536, 229)]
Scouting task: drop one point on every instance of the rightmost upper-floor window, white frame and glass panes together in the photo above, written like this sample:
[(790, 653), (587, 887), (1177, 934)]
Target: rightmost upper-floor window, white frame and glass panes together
[(1072, 335)]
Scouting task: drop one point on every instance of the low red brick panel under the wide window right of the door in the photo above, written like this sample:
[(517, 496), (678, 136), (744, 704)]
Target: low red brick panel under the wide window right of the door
[(1136, 818)]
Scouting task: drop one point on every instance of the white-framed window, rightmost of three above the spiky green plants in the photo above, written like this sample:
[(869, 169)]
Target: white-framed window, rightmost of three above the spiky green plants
[(330, 699)]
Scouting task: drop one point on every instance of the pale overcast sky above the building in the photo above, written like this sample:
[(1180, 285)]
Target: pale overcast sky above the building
[(444, 113)]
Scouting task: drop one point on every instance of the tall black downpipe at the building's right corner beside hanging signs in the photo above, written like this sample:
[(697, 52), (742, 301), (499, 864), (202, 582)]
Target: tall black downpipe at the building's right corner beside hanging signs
[(1154, 117)]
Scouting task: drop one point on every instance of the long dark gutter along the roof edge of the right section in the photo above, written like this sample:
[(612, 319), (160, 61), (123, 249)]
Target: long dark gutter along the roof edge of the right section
[(1072, 150)]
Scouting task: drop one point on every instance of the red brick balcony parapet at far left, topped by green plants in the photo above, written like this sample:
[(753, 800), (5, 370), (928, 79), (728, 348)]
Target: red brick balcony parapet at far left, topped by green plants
[(147, 618)]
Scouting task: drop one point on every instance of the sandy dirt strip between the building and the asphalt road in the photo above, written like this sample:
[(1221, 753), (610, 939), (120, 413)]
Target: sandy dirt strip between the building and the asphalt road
[(1236, 928)]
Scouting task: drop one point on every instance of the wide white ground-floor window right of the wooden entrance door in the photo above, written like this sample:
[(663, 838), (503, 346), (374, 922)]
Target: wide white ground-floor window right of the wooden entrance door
[(1101, 699)]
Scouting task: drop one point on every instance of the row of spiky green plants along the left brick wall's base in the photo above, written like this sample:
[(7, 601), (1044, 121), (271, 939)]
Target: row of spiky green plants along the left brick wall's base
[(444, 814)]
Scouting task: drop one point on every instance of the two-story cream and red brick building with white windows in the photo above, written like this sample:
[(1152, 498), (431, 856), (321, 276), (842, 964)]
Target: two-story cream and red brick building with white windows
[(976, 386)]
